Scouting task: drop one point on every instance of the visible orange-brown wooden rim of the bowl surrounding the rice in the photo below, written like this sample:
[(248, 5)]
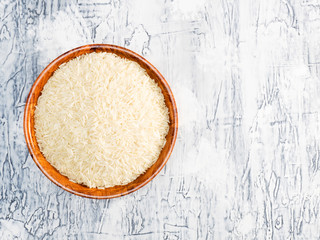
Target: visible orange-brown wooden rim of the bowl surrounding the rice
[(61, 180)]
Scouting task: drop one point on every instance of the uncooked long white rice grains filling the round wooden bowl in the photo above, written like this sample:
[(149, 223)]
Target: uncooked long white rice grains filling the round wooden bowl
[(101, 120)]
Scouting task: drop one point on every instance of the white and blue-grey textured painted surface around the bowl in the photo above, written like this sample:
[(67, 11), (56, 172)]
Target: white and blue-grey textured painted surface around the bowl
[(245, 75)]
